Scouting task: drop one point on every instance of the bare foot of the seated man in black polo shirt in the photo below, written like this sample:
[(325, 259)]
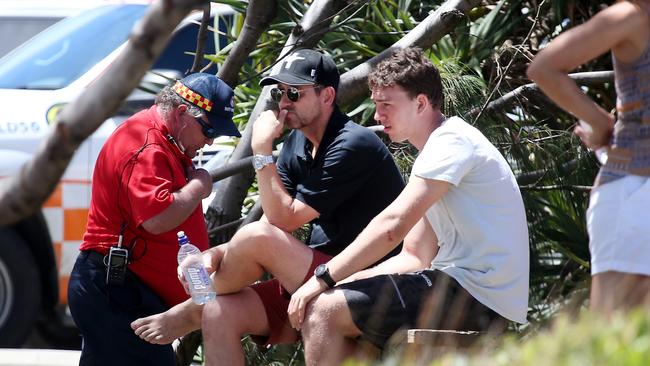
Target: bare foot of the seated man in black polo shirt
[(165, 327)]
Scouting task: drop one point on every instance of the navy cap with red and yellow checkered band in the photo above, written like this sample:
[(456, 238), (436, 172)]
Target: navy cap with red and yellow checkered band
[(213, 96)]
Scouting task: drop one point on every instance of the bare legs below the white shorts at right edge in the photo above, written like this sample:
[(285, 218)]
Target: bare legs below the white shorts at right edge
[(617, 291)]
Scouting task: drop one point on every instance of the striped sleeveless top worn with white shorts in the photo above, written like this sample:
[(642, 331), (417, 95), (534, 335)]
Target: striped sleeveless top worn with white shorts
[(630, 148)]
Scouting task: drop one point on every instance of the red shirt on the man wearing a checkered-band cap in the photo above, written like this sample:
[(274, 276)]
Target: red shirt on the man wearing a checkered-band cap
[(137, 171)]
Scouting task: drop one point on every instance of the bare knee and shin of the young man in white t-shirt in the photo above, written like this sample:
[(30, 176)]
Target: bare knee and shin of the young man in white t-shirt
[(328, 330)]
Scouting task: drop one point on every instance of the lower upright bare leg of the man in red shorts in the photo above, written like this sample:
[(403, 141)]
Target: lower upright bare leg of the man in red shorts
[(226, 320)]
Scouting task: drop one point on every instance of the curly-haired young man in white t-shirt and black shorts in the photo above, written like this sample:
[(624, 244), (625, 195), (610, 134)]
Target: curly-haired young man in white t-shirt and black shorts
[(462, 219)]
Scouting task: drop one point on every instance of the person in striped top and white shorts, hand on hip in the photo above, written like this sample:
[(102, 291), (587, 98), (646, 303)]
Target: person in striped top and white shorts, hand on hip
[(616, 218)]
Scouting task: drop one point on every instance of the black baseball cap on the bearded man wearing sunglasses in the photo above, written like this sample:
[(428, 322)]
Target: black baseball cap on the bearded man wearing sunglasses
[(304, 67)]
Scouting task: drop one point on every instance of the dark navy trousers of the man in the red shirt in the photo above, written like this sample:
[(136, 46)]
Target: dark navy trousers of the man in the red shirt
[(104, 313)]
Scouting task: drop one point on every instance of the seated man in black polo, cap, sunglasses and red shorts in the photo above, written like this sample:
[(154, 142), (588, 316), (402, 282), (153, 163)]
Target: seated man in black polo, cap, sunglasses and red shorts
[(331, 173)]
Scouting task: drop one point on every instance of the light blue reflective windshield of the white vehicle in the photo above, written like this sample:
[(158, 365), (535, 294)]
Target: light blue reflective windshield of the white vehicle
[(62, 53)]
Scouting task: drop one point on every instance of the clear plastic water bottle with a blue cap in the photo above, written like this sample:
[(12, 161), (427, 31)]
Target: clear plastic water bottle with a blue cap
[(191, 262)]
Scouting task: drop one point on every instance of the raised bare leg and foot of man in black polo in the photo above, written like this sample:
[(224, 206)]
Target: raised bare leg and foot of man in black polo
[(256, 248)]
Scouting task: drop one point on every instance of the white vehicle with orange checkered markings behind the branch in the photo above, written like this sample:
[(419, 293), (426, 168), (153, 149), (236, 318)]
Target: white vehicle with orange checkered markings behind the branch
[(36, 80)]
